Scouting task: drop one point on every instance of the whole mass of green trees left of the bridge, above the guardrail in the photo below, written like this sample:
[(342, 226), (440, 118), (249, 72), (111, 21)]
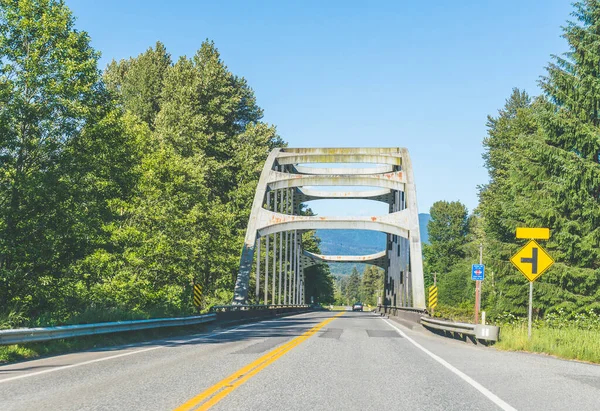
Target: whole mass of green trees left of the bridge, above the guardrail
[(120, 188)]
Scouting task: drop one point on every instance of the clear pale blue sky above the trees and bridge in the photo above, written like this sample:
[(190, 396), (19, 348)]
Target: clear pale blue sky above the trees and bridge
[(420, 75)]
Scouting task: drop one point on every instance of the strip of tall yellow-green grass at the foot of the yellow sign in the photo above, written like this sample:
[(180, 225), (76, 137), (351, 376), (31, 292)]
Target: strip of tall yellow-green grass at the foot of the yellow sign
[(567, 342)]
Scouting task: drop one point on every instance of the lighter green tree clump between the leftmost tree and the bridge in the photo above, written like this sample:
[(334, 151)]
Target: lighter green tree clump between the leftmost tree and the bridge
[(191, 206)]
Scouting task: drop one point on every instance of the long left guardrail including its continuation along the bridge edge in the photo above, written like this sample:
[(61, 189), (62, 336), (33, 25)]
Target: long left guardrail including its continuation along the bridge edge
[(218, 313)]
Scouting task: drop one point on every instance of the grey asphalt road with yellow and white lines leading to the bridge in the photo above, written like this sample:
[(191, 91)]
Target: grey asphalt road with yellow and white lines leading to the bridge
[(356, 361)]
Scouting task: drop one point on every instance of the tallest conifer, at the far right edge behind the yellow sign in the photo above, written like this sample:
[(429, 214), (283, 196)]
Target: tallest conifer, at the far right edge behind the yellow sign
[(571, 127)]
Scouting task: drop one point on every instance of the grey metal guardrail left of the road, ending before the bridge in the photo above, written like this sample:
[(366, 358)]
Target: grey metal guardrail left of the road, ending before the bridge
[(25, 335)]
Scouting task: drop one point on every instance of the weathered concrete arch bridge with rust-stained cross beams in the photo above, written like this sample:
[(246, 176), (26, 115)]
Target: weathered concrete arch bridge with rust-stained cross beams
[(273, 256)]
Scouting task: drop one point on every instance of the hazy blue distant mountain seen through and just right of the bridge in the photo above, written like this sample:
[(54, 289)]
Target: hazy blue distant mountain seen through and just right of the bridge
[(359, 242)]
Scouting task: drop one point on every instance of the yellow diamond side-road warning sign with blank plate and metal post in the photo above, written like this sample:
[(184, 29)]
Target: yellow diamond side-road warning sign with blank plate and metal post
[(532, 261)]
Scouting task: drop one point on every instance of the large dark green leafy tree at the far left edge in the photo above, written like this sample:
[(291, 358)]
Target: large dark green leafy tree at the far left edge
[(65, 157)]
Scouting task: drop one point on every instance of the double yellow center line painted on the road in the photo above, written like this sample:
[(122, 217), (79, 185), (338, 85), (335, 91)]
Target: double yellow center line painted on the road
[(220, 390)]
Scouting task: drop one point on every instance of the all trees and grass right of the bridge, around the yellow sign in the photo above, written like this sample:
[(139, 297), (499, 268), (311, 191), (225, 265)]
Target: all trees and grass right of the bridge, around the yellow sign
[(542, 154)]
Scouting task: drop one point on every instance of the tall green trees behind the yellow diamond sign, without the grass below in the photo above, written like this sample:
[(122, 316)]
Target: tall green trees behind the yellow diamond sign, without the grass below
[(543, 158)]
